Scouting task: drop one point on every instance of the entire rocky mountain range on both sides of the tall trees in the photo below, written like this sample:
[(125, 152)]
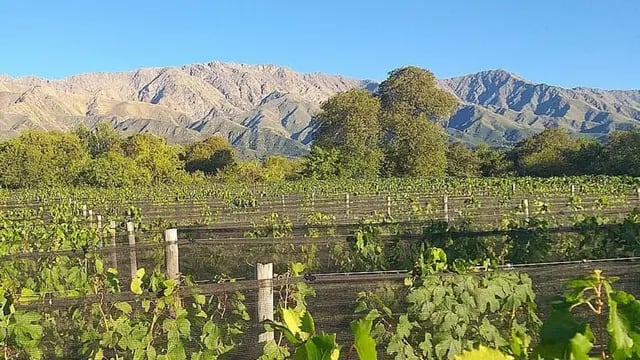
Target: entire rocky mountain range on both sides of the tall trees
[(267, 109)]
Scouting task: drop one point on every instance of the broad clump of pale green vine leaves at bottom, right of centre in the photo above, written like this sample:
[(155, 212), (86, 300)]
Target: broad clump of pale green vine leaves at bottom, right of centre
[(449, 312)]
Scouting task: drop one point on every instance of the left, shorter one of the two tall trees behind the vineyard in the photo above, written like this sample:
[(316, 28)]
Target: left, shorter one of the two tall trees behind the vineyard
[(350, 123)]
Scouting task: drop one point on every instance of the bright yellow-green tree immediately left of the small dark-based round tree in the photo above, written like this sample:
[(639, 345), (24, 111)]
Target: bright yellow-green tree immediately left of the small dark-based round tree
[(152, 154)]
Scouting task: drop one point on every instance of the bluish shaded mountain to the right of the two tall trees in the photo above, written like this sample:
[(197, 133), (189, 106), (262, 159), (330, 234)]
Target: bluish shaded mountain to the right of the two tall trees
[(500, 108)]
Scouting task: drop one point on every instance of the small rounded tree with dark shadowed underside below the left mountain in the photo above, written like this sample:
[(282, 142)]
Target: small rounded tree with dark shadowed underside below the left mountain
[(209, 156)]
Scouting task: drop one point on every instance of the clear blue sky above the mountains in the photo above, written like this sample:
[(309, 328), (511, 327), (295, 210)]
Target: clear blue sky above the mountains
[(561, 42)]
